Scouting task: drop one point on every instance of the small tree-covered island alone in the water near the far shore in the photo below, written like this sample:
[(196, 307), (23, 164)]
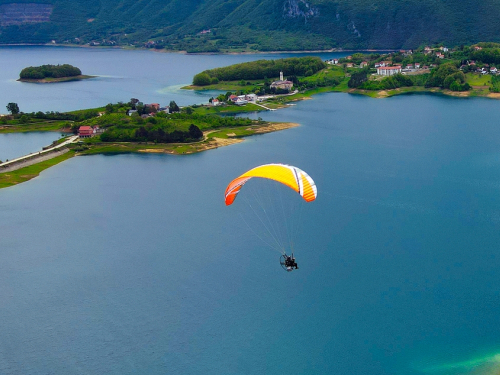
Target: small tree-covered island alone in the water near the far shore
[(51, 74)]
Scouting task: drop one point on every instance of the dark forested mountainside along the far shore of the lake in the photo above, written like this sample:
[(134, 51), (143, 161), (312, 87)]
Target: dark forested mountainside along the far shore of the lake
[(221, 25)]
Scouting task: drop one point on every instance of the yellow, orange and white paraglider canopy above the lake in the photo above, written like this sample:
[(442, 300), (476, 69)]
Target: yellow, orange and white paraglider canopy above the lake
[(288, 175)]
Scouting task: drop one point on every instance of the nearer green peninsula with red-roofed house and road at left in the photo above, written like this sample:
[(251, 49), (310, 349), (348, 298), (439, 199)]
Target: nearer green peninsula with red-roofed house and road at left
[(123, 127)]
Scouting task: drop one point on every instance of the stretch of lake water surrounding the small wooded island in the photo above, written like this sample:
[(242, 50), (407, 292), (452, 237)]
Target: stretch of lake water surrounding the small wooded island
[(153, 77)]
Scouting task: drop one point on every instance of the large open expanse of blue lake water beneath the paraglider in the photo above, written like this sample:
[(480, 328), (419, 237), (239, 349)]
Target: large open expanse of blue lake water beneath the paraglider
[(131, 264)]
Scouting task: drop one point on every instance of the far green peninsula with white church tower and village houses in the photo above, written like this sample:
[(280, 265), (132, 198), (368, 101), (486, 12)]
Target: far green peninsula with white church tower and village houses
[(460, 71)]
